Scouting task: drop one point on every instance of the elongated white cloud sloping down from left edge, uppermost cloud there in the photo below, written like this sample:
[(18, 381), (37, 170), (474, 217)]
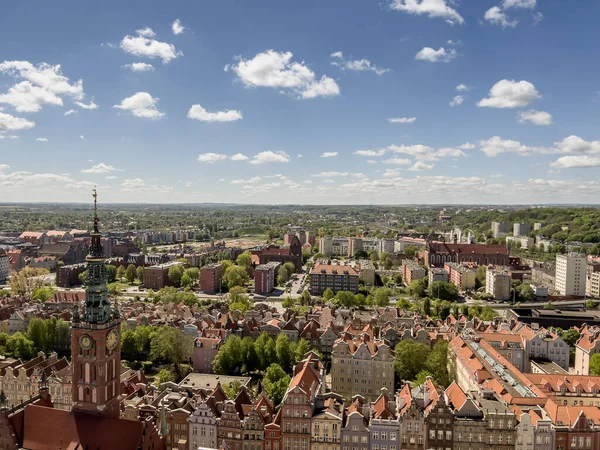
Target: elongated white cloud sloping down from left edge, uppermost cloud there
[(45, 76)]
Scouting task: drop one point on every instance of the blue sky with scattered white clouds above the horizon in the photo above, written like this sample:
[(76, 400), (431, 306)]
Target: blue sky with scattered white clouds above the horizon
[(312, 102)]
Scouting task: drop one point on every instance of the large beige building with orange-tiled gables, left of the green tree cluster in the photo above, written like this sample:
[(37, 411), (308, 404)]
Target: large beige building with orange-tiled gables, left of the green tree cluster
[(361, 366)]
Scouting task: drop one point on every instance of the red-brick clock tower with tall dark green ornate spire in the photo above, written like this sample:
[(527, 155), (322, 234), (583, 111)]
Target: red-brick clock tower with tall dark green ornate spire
[(96, 340)]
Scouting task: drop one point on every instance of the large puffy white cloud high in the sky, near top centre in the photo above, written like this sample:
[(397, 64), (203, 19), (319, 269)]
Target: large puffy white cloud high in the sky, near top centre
[(277, 70)]
